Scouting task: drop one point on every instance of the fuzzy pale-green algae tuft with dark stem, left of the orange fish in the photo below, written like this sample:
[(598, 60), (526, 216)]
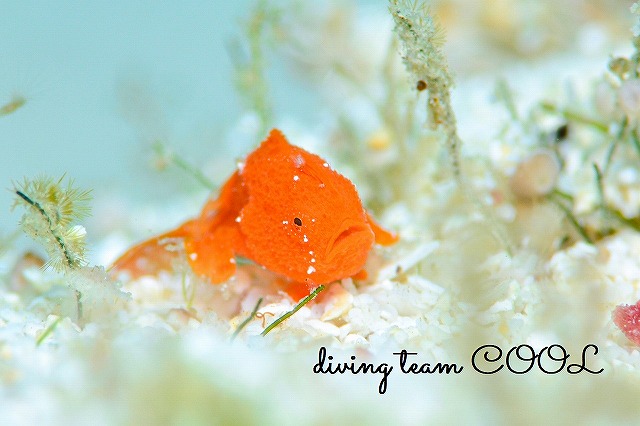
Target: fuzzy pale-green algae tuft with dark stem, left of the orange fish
[(51, 211)]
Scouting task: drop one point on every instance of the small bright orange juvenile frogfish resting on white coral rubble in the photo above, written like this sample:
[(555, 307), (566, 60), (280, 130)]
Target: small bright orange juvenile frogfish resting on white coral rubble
[(284, 209)]
